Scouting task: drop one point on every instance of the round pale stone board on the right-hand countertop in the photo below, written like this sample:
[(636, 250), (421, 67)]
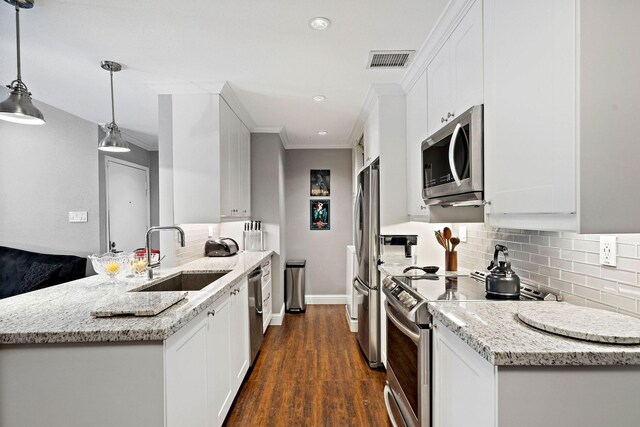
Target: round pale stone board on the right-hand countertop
[(583, 323)]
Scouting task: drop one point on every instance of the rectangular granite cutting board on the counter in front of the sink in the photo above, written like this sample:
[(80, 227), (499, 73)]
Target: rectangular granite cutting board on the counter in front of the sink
[(136, 303)]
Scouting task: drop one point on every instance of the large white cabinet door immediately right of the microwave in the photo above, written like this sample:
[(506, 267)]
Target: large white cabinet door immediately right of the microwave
[(530, 106)]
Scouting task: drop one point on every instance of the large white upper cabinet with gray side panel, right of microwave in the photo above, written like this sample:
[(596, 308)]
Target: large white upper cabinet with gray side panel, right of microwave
[(559, 101)]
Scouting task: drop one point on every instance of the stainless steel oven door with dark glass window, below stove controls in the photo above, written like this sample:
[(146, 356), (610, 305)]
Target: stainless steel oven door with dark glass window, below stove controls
[(408, 368)]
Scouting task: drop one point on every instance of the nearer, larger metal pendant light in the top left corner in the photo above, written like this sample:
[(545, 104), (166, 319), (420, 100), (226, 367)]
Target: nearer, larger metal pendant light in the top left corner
[(18, 108)]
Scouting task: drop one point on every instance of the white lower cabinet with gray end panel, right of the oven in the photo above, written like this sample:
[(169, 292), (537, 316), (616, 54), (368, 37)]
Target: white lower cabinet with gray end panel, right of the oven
[(470, 391)]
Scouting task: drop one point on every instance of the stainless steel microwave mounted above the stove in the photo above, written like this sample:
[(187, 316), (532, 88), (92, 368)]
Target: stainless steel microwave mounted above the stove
[(452, 172)]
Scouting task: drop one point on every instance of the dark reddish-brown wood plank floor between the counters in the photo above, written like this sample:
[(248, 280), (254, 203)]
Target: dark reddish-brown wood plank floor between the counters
[(310, 372)]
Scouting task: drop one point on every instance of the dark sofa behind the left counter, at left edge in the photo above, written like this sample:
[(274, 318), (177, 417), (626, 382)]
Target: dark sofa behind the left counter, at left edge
[(24, 271)]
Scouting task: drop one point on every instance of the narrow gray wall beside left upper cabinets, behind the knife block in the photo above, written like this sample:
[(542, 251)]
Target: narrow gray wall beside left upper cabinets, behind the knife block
[(268, 203)]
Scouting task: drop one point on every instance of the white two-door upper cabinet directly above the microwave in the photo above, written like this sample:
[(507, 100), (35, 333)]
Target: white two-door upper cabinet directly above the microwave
[(454, 76)]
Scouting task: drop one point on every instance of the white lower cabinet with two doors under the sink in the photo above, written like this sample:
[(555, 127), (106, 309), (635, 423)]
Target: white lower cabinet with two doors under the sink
[(206, 361)]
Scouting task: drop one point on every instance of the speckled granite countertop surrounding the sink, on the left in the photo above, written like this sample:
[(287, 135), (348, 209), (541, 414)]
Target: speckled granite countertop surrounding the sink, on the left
[(61, 314)]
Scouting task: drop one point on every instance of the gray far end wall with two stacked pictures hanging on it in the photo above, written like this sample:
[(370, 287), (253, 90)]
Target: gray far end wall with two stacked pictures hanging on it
[(325, 251)]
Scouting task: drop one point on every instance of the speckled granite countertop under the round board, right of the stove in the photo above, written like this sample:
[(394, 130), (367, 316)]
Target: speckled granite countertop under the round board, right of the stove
[(494, 331)]
